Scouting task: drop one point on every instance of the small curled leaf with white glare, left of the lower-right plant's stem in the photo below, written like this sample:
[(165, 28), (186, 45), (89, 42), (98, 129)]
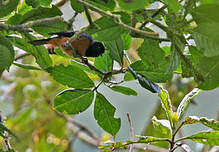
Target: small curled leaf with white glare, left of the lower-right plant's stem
[(162, 123)]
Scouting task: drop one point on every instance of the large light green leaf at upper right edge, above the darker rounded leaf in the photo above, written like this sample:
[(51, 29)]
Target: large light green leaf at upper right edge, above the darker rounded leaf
[(206, 33)]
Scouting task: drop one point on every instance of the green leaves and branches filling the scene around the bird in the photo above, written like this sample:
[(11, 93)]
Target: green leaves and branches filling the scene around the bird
[(120, 24)]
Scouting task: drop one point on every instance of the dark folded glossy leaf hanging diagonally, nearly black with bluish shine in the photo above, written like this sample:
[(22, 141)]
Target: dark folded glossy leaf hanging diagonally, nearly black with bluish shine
[(154, 88)]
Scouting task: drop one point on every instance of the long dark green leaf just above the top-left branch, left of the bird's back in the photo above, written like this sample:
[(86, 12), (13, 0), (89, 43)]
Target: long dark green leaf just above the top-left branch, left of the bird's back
[(39, 13)]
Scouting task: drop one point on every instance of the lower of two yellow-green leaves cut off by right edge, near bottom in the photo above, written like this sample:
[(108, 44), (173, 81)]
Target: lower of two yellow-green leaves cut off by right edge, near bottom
[(208, 138)]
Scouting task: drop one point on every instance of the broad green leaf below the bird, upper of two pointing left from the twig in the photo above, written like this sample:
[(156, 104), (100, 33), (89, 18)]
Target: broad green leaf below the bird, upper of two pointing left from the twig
[(71, 76)]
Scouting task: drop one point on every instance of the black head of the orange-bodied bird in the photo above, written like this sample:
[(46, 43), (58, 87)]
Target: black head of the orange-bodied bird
[(96, 49)]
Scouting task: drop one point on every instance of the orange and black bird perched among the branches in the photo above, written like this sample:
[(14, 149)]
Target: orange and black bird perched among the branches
[(84, 45)]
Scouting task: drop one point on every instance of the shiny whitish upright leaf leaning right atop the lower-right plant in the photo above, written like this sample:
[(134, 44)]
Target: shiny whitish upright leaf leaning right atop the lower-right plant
[(186, 101)]
